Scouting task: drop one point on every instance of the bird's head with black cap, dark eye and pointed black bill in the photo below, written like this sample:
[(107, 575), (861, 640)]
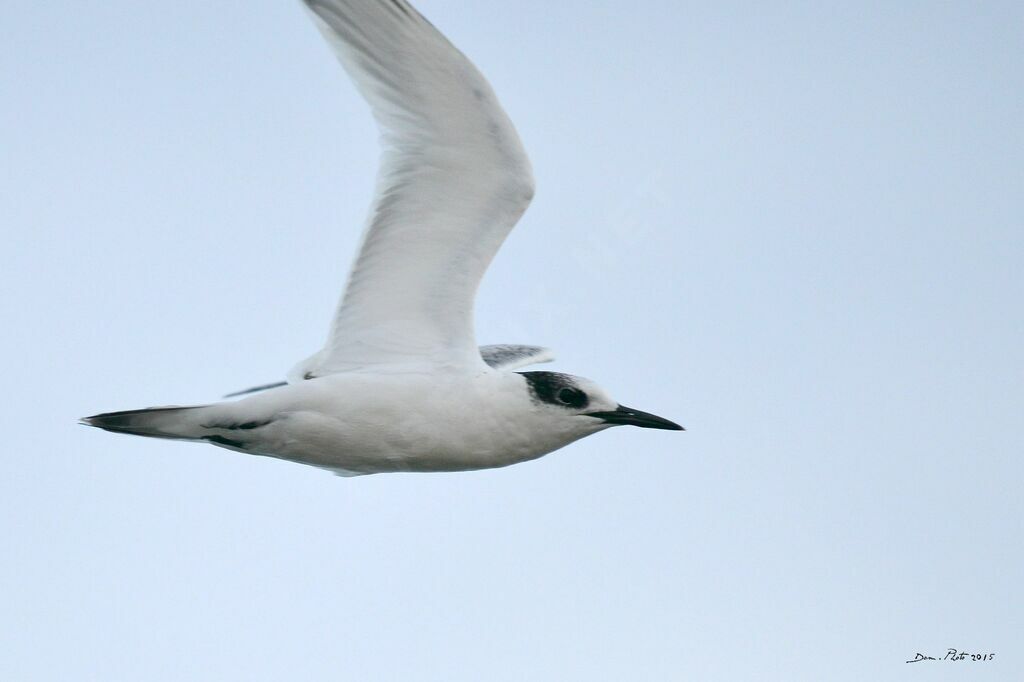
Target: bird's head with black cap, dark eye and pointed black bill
[(565, 395)]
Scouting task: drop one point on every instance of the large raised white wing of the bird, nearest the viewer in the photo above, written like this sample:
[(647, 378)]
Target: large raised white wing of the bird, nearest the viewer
[(454, 180)]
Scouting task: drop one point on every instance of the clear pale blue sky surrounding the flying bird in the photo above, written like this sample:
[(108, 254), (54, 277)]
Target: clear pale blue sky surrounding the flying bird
[(795, 229)]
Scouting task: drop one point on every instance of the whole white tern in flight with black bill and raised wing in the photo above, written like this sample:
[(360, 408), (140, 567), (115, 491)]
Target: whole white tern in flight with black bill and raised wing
[(401, 385)]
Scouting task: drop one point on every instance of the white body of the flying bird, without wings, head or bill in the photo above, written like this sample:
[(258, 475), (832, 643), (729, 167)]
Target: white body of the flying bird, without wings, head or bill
[(358, 423)]
